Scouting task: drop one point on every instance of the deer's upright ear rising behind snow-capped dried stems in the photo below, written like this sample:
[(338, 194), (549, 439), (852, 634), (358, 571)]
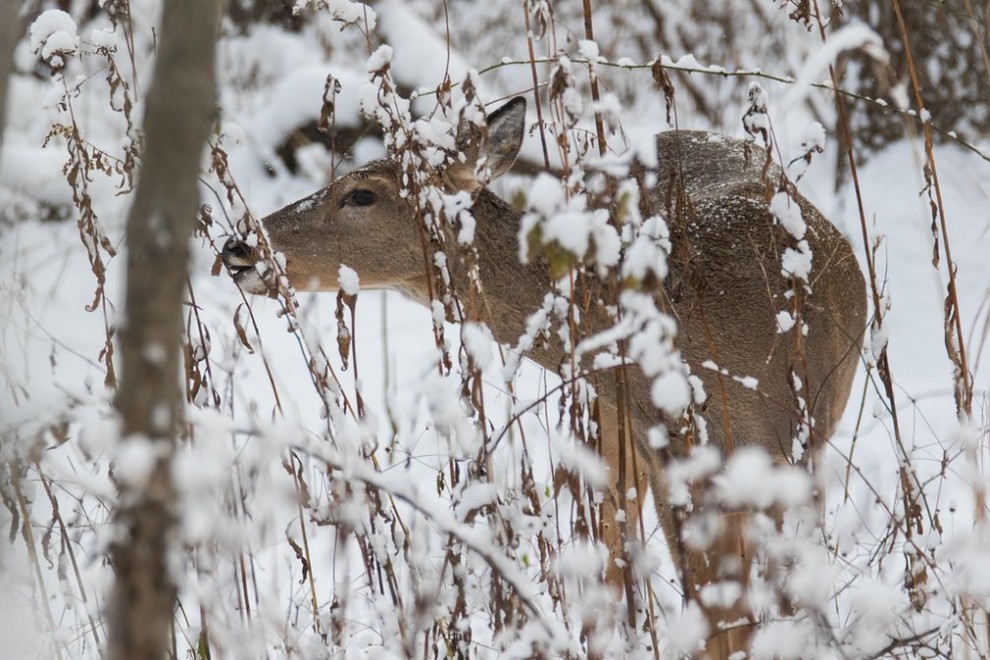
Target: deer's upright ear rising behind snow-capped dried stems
[(506, 127)]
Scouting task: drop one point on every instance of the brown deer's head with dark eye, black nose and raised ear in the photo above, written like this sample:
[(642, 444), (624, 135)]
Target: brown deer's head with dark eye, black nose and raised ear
[(365, 220)]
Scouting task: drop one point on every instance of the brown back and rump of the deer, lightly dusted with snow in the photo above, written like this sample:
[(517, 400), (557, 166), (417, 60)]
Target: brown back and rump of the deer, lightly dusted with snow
[(726, 288)]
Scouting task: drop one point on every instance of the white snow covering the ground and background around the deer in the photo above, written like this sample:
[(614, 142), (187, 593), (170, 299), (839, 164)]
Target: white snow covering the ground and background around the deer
[(239, 505)]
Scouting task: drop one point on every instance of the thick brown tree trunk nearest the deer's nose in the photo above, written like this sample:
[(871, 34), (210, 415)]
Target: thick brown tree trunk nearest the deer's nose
[(180, 111)]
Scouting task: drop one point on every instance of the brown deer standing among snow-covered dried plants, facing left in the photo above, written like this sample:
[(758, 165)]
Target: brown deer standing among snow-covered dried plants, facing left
[(724, 289)]
